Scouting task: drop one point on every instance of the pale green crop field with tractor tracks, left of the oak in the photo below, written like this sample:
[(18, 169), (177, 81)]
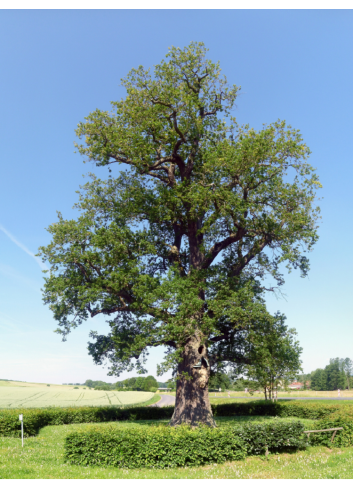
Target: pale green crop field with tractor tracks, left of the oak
[(41, 396)]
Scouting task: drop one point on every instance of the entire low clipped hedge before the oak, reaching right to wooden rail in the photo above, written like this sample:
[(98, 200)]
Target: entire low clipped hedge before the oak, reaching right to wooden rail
[(178, 447)]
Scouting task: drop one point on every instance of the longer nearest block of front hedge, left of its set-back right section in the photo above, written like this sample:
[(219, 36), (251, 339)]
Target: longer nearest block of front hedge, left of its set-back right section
[(152, 447)]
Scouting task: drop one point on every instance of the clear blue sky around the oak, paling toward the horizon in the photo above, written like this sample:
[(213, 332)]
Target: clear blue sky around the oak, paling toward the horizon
[(57, 66)]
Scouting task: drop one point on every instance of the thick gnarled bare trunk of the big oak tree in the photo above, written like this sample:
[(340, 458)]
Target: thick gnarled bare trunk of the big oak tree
[(192, 404)]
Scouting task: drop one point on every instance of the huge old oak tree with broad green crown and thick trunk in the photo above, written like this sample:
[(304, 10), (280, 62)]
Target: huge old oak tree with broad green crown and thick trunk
[(174, 249)]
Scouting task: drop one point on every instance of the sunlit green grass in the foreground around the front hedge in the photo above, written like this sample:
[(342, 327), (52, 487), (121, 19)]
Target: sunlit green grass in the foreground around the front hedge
[(42, 458)]
